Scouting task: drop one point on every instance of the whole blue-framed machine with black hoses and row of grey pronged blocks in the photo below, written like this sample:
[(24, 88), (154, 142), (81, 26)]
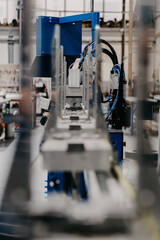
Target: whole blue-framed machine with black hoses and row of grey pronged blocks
[(76, 137)]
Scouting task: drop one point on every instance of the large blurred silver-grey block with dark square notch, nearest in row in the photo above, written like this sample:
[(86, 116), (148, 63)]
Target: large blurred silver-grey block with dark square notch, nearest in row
[(77, 152)]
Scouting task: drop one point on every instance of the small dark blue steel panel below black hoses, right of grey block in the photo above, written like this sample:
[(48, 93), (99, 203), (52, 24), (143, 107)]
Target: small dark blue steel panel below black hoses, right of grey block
[(117, 143)]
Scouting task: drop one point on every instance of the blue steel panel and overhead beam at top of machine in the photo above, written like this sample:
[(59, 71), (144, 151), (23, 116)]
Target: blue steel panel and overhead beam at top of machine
[(71, 32)]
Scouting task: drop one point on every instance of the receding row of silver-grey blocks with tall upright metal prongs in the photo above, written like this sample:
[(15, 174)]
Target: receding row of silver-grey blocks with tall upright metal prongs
[(77, 143)]
